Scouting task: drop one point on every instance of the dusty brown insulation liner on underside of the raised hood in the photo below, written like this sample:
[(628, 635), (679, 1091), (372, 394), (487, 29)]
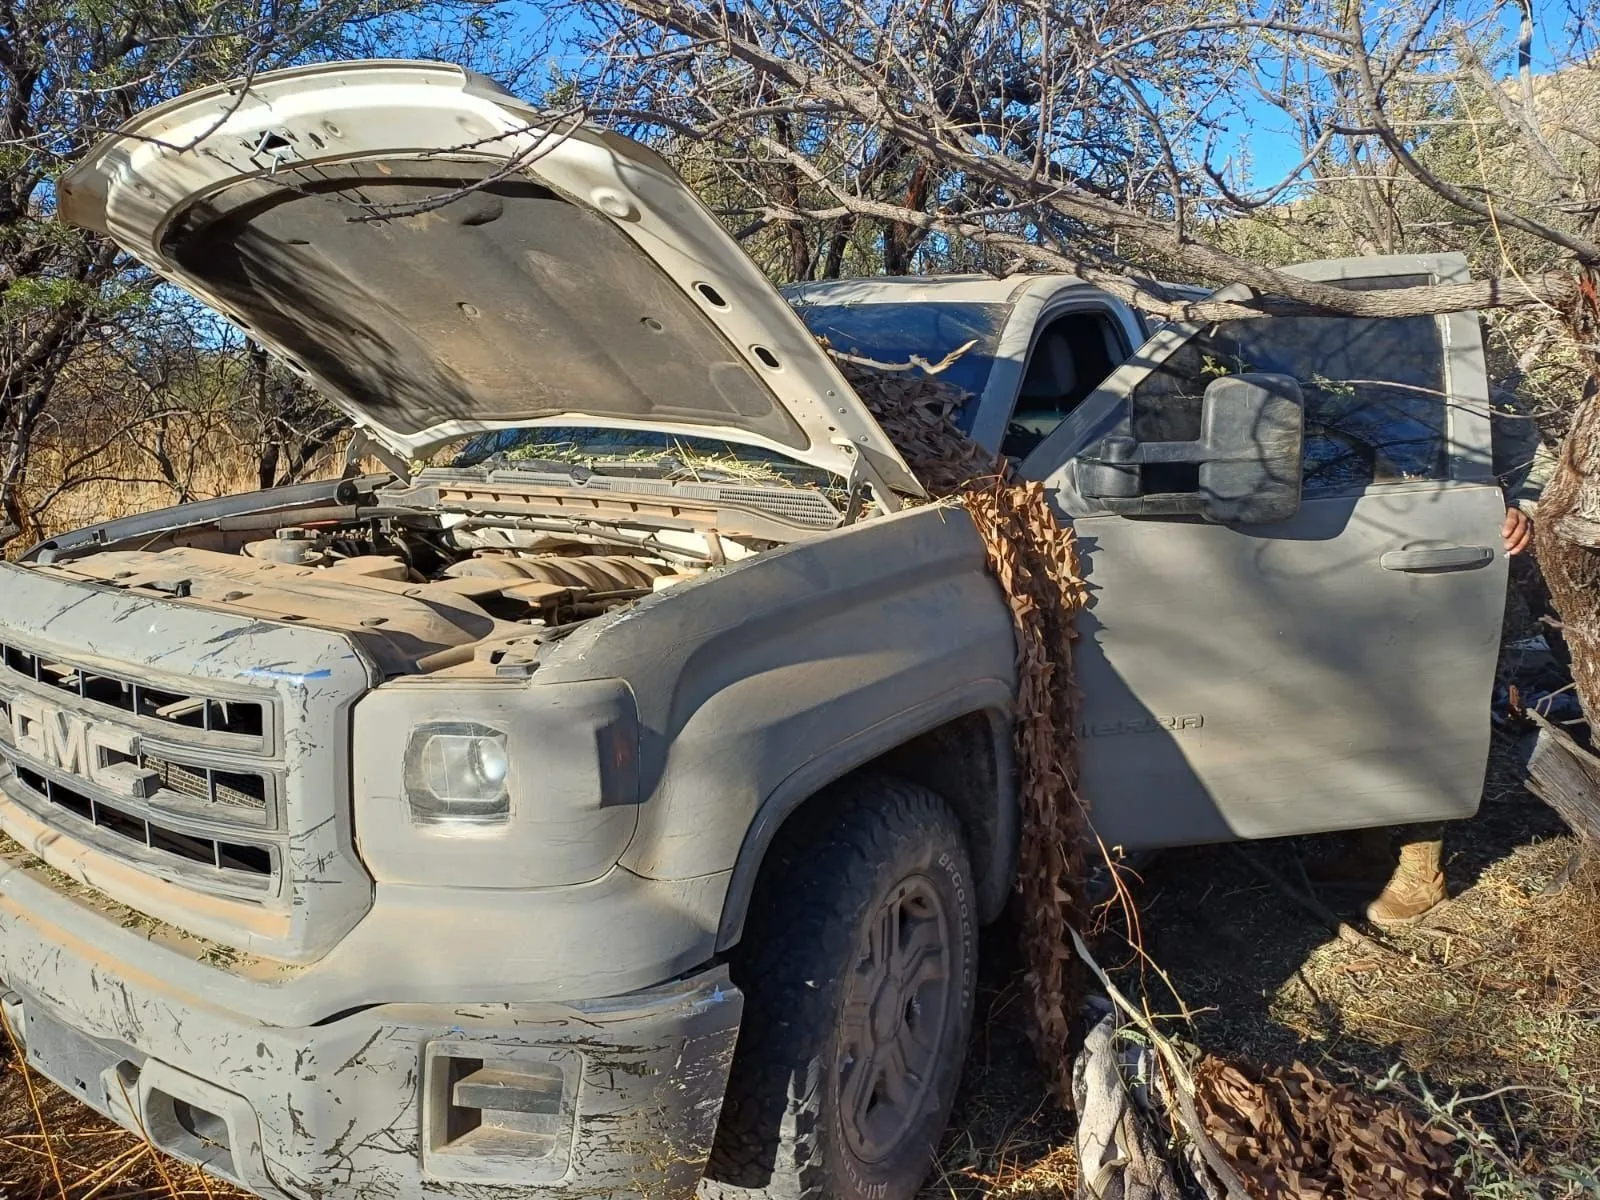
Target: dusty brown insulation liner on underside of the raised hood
[(506, 303)]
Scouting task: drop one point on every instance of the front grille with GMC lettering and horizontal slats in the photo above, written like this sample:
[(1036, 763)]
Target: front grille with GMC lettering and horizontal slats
[(177, 783)]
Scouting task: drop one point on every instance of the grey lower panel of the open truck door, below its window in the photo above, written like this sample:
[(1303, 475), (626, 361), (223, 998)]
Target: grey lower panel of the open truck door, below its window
[(1281, 681)]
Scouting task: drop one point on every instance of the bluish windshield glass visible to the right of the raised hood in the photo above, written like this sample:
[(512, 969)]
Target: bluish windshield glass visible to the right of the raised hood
[(892, 334)]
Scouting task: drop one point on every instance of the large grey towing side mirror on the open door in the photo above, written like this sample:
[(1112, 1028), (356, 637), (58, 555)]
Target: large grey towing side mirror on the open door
[(1252, 436)]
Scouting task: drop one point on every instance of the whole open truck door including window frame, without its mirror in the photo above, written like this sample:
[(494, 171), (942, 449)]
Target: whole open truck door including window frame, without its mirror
[(1327, 673)]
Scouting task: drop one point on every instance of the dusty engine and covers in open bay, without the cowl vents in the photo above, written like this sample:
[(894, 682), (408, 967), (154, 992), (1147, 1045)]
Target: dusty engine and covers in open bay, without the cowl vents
[(420, 594)]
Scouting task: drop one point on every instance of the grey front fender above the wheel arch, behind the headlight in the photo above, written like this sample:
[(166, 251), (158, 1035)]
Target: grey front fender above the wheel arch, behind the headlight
[(764, 682)]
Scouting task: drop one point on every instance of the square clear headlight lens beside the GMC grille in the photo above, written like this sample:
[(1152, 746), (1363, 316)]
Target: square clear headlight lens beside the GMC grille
[(457, 774)]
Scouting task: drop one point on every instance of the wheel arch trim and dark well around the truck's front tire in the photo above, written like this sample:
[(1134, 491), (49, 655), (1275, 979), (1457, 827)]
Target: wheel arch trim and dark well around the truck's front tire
[(959, 746)]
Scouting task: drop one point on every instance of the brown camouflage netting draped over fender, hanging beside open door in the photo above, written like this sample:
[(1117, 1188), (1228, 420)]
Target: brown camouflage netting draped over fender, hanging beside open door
[(1036, 562)]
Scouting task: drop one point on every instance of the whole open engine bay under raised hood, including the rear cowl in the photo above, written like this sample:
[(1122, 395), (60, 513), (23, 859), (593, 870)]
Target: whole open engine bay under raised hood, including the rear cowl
[(462, 572)]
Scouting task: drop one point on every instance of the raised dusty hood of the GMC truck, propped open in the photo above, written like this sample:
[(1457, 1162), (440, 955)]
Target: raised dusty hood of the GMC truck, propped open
[(442, 260)]
